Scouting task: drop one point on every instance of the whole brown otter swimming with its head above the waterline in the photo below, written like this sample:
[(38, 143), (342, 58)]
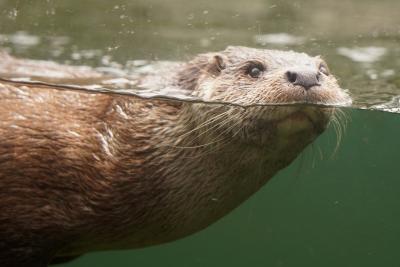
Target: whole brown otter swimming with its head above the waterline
[(81, 172)]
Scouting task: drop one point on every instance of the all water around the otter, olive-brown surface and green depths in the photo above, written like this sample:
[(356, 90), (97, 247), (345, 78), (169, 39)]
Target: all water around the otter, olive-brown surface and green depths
[(332, 206)]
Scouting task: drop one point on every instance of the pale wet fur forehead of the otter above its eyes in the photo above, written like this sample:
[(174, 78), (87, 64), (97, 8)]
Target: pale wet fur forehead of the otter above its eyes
[(274, 59)]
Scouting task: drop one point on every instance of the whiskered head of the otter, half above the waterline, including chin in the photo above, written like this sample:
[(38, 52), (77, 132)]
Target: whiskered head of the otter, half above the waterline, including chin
[(280, 91)]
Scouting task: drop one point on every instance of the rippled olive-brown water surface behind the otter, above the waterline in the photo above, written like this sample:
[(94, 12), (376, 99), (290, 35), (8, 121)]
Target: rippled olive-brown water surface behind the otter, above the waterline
[(363, 53)]
